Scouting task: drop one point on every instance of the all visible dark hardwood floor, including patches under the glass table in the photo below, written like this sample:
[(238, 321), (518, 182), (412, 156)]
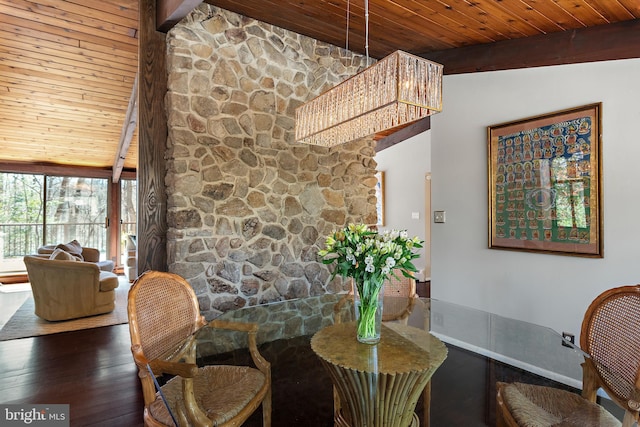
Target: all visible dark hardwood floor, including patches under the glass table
[(92, 371)]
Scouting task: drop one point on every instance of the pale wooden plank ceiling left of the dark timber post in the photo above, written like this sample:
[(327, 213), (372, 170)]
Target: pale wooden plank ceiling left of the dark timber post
[(67, 70)]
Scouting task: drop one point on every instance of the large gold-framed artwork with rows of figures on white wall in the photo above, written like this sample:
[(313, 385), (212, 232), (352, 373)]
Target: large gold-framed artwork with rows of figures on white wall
[(545, 183)]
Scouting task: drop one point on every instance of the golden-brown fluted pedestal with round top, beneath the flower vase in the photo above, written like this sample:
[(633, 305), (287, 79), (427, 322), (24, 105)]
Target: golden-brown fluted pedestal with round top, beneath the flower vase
[(378, 385)]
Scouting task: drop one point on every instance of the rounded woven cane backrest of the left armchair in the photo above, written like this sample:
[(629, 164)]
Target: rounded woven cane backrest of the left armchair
[(164, 311)]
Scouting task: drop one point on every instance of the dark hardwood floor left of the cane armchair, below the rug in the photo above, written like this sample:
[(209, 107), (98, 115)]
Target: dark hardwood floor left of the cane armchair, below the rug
[(91, 370)]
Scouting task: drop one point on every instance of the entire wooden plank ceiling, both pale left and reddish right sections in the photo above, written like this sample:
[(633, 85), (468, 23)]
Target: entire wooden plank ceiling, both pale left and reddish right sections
[(67, 67)]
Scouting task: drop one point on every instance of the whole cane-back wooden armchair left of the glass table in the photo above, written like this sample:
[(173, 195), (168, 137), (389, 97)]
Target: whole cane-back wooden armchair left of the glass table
[(163, 314)]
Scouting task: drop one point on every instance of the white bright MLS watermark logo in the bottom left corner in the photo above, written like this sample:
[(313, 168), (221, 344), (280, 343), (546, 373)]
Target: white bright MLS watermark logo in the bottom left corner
[(34, 415)]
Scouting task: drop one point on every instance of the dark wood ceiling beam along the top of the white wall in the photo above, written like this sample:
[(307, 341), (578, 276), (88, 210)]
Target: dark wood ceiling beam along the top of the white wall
[(600, 43)]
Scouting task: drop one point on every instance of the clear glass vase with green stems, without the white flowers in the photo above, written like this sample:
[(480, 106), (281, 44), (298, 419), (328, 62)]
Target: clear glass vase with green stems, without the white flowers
[(368, 311)]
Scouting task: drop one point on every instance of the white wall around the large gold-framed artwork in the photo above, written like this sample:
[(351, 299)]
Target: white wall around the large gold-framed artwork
[(549, 290)]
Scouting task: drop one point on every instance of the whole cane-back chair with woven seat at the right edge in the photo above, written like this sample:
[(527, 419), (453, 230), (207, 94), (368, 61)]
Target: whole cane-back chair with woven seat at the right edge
[(611, 335)]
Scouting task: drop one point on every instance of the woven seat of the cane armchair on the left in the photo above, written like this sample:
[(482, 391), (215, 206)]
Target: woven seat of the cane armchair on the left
[(222, 391)]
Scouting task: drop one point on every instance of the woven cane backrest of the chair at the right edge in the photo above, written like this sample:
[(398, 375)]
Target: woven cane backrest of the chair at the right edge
[(611, 335)]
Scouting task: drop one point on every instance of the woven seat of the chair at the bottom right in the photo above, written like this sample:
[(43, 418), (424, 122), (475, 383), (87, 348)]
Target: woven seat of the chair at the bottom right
[(539, 406)]
